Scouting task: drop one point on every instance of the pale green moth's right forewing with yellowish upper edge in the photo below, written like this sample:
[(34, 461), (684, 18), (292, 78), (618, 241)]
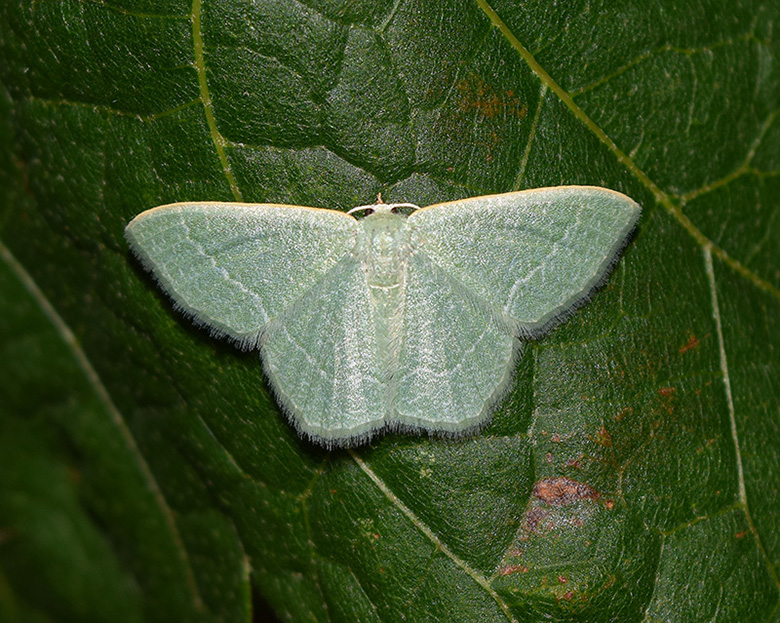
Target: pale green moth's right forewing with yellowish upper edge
[(532, 255)]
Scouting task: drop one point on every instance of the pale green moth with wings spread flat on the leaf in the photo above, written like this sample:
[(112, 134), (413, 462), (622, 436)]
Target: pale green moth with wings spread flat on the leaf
[(394, 320)]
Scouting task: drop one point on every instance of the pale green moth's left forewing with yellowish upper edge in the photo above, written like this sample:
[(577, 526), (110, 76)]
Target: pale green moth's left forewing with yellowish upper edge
[(232, 266)]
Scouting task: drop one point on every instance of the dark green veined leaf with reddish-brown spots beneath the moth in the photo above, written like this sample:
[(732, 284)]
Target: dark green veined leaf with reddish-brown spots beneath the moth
[(146, 473)]
